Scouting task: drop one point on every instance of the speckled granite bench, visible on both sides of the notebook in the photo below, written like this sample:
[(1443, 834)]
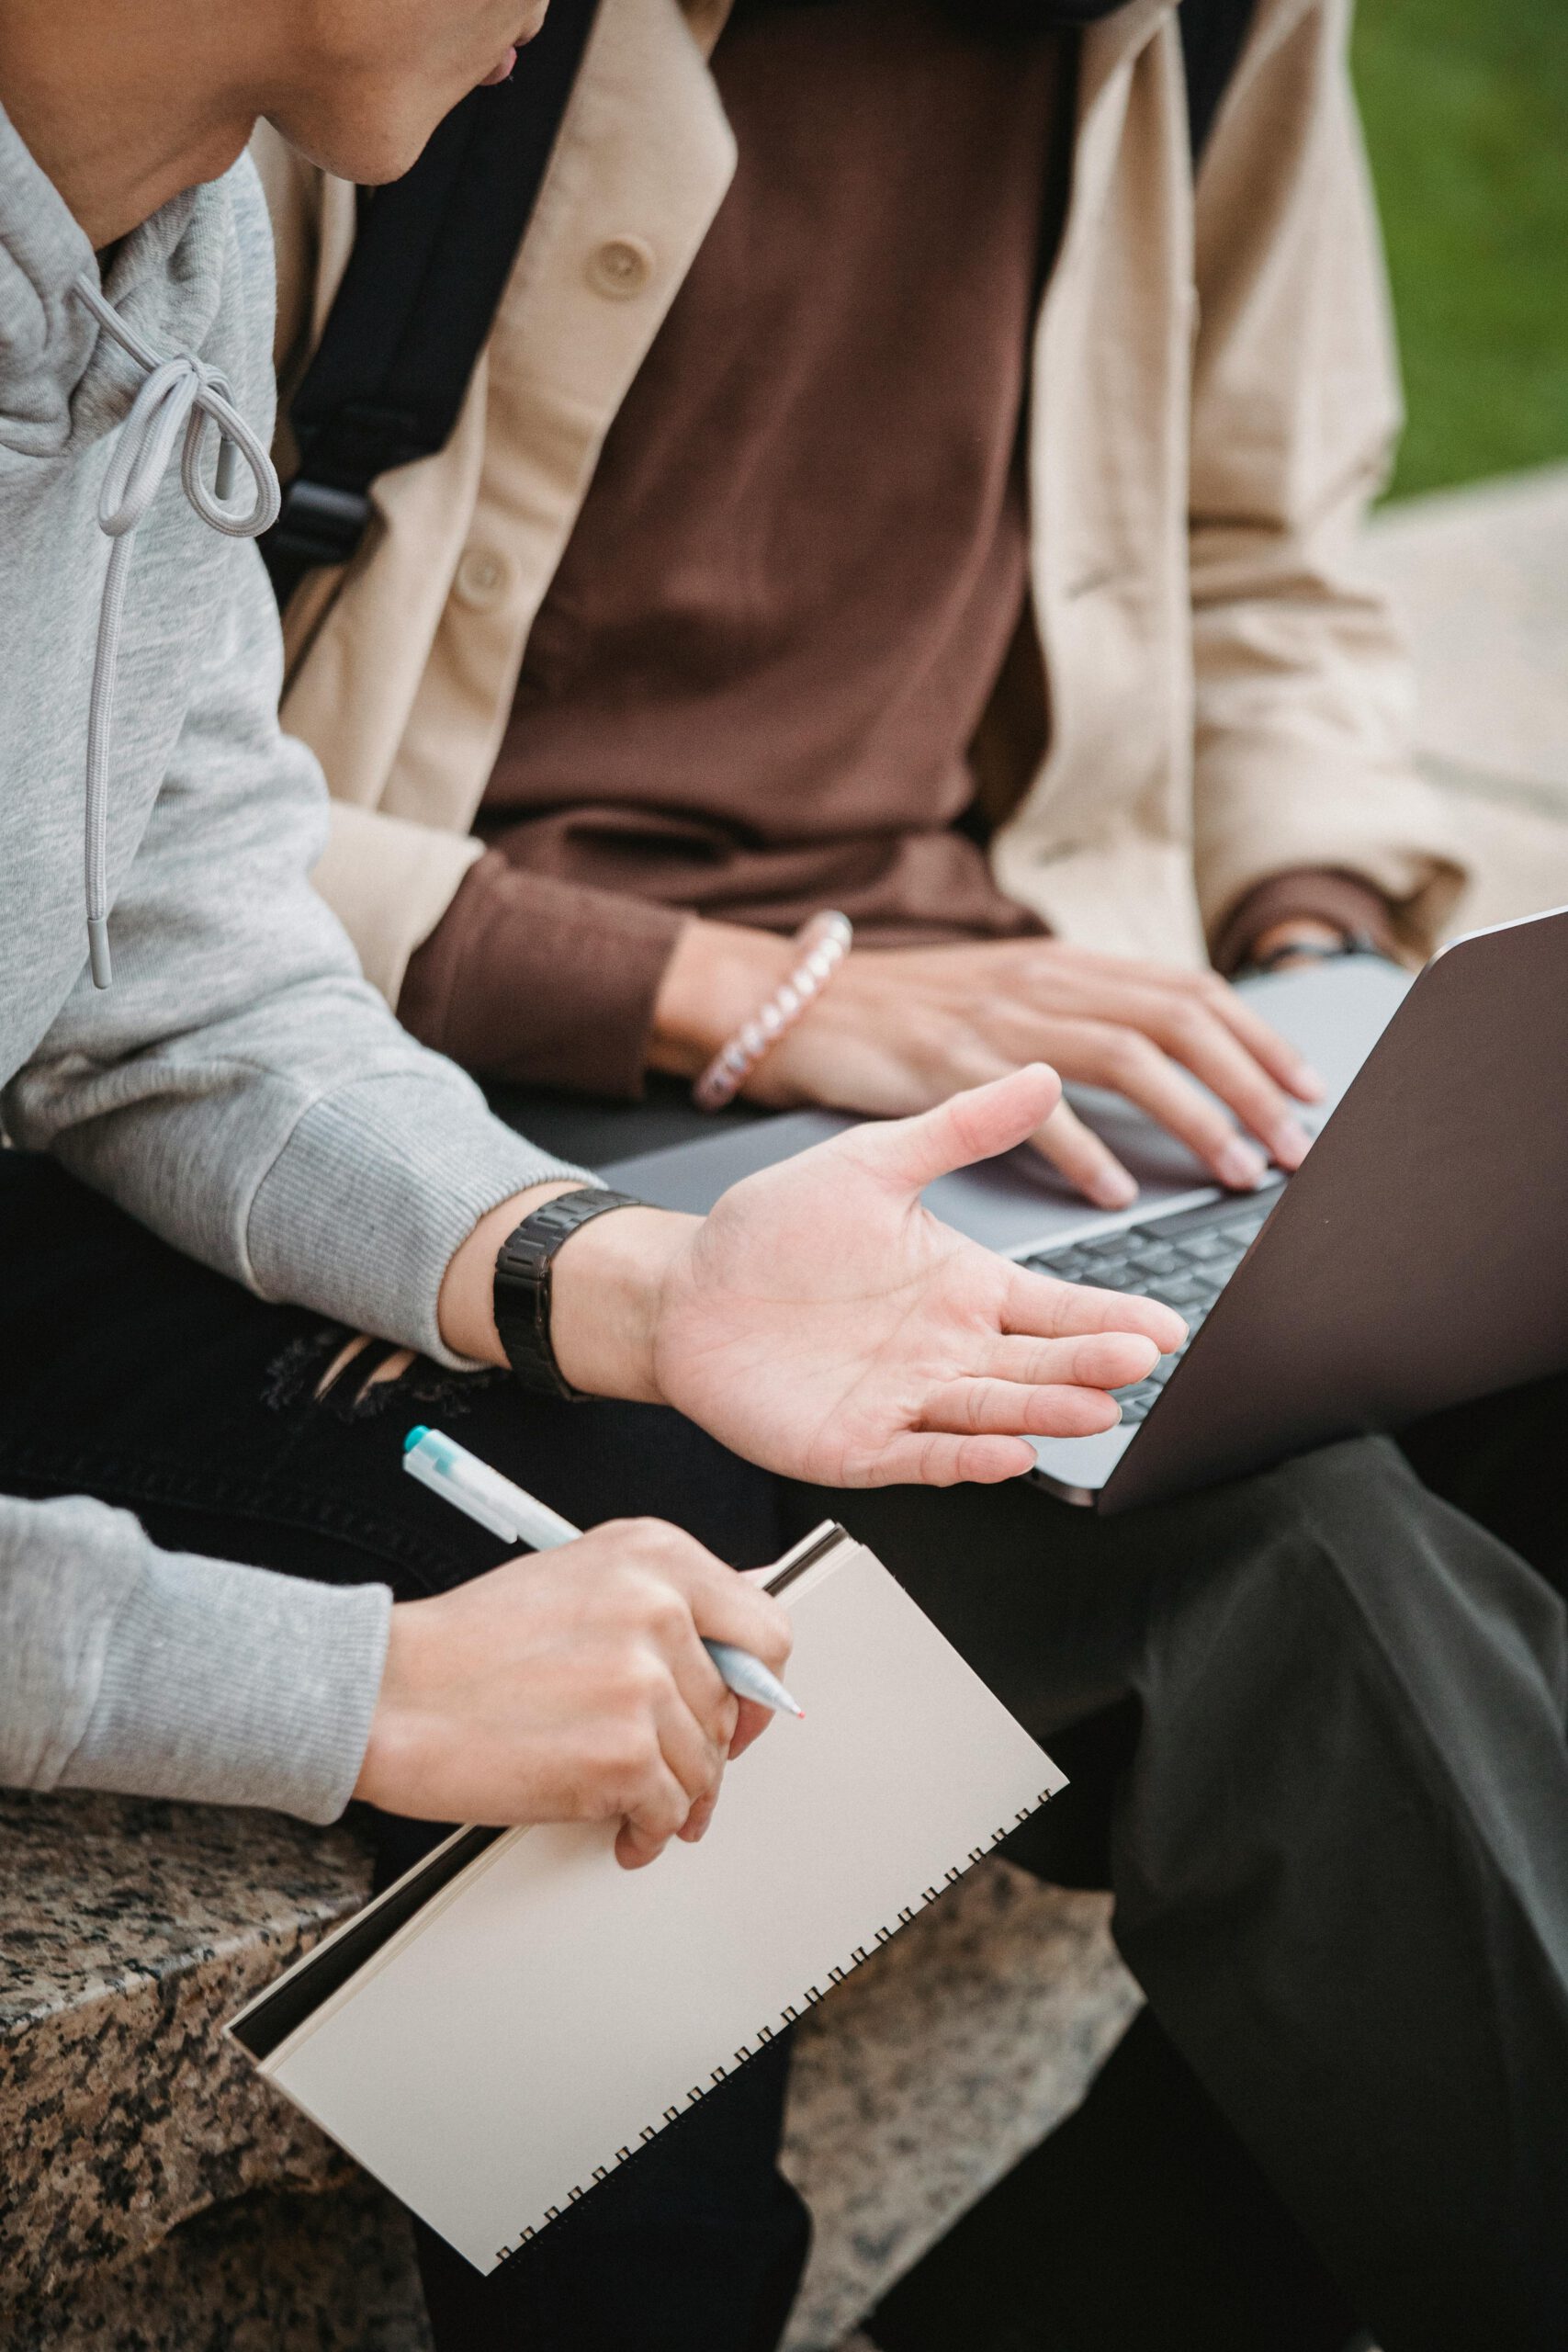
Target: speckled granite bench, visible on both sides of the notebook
[(159, 2193)]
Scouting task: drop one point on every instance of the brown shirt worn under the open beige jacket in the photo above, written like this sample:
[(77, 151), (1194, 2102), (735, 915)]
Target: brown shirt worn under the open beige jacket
[(805, 554)]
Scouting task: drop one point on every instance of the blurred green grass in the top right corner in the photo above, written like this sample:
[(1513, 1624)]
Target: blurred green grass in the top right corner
[(1466, 112)]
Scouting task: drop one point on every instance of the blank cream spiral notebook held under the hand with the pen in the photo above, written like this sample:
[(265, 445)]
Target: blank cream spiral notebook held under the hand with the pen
[(521, 2017)]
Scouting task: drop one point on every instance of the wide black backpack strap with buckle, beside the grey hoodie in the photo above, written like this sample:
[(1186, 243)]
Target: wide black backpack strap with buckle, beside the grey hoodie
[(417, 300)]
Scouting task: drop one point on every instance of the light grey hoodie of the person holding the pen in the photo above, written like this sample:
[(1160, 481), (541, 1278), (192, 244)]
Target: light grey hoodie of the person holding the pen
[(241, 1088)]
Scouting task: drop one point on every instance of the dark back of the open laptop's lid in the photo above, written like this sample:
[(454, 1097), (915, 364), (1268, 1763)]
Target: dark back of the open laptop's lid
[(1421, 1255)]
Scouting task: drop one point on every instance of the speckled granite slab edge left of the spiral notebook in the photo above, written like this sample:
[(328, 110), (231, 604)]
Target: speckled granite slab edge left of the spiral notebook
[(128, 1935)]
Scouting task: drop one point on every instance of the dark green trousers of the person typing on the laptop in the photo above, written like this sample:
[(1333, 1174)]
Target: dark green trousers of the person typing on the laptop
[(1315, 1725)]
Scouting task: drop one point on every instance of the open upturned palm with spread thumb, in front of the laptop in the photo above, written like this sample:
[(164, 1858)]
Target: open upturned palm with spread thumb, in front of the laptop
[(826, 1325)]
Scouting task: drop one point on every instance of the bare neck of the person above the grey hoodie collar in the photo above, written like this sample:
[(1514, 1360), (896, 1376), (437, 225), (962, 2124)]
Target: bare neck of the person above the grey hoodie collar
[(128, 102)]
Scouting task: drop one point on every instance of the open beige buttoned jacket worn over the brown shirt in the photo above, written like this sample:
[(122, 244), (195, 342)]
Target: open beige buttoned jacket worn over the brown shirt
[(1214, 403)]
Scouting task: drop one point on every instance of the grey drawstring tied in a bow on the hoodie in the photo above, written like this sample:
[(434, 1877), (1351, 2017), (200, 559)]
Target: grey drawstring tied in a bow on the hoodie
[(177, 394)]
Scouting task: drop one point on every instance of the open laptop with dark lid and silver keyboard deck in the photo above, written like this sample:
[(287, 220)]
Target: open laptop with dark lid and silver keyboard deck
[(1416, 1259)]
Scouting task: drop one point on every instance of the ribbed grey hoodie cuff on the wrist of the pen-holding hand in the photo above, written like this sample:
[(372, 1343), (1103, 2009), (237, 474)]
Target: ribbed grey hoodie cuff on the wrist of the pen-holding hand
[(236, 1688)]
